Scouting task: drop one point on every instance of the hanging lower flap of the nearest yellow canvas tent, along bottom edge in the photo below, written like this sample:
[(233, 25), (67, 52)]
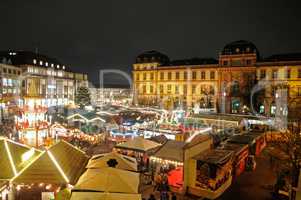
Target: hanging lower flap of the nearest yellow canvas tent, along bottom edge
[(104, 196)]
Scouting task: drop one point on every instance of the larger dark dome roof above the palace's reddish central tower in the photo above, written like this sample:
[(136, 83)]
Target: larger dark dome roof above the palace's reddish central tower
[(240, 47)]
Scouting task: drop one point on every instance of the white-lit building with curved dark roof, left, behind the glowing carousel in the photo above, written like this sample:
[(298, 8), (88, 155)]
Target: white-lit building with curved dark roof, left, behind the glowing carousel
[(44, 79)]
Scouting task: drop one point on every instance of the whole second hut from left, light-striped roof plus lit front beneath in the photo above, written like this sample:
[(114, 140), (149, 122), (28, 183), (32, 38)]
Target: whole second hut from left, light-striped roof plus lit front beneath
[(61, 164)]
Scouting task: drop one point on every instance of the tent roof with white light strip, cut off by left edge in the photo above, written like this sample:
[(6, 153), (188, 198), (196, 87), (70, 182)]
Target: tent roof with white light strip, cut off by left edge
[(14, 157)]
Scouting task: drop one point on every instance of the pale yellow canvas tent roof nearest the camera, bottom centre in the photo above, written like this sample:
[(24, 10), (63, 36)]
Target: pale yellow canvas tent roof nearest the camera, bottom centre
[(107, 182)]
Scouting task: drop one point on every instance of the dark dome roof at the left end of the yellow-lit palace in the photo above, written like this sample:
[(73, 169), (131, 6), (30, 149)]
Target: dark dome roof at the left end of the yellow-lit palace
[(152, 56)]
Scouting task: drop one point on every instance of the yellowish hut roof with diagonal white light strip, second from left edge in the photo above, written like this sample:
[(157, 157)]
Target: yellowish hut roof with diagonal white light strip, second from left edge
[(61, 163)]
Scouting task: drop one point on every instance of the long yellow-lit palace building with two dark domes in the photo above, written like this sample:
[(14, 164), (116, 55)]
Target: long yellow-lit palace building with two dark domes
[(223, 85)]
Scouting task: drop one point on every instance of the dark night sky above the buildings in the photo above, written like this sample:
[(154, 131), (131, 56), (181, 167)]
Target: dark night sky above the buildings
[(97, 34)]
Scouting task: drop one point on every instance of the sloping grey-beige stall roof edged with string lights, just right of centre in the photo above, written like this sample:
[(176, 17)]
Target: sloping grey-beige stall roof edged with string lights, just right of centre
[(171, 150)]
